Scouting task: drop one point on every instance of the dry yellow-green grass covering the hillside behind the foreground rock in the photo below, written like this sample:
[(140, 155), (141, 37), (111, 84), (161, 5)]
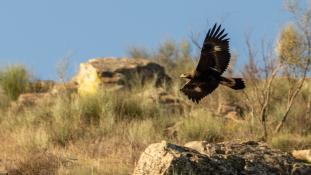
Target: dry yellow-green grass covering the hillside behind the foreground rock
[(106, 133)]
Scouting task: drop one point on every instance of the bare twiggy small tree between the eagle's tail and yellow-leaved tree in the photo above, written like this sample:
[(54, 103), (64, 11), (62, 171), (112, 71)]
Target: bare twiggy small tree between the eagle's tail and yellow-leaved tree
[(260, 78)]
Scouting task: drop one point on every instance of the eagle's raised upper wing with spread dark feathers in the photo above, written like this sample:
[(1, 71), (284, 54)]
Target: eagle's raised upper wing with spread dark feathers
[(215, 51)]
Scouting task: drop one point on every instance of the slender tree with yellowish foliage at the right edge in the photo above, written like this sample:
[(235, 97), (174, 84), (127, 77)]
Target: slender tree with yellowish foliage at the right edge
[(294, 52)]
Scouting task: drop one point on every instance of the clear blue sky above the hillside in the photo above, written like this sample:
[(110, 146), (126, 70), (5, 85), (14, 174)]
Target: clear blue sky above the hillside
[(38, 33)]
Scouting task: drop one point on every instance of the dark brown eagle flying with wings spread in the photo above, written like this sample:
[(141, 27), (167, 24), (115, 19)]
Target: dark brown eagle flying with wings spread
[(214, 60)]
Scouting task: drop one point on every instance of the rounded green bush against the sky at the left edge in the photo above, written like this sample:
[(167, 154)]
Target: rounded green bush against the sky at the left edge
[(14, 80)]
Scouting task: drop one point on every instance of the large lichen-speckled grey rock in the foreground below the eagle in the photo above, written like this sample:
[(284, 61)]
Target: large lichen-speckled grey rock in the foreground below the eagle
[(247, 158)]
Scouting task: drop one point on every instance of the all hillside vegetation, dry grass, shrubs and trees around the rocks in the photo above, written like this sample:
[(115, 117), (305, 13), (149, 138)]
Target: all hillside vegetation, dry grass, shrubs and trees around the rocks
[(106, 132)]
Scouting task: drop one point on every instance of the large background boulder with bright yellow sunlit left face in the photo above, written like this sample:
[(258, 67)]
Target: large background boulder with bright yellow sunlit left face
[(117, 73)]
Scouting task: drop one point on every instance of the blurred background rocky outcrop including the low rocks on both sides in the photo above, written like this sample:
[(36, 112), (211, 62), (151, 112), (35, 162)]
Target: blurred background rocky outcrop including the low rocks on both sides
[(109, 74)]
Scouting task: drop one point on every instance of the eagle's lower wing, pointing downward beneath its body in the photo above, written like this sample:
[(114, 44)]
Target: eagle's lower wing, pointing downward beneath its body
[(195, 91)]
